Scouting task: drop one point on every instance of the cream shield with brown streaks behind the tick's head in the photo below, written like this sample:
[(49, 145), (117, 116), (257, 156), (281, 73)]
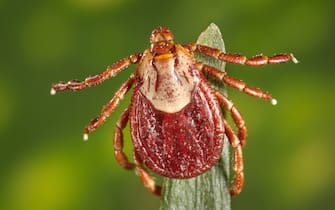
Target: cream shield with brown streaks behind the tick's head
[(168, 87)]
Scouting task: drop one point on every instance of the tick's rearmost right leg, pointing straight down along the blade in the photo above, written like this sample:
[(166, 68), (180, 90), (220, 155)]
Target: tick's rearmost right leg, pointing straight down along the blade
[(237, 186)]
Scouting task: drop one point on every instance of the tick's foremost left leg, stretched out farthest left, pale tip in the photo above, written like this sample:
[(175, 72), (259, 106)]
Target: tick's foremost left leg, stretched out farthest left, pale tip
[(111, 71)]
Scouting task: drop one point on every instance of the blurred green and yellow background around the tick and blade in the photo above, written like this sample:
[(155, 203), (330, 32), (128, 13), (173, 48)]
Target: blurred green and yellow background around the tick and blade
[(45, 165)]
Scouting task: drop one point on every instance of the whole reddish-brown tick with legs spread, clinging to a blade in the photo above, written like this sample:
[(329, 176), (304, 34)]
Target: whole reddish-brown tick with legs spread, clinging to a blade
[(176, 123)]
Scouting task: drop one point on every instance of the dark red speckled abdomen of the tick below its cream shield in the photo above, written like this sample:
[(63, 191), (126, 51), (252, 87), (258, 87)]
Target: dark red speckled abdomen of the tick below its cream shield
[(182, 144)]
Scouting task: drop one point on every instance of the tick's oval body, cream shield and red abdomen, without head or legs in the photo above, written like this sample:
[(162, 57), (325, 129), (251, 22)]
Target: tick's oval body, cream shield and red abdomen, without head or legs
[(175, 118)]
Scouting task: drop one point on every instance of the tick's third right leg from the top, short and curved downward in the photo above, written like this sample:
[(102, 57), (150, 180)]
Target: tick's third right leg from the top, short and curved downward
[(236, 115)]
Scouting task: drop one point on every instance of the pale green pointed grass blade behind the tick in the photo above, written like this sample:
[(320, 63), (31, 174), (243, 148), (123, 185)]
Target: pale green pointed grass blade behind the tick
[(211, 189)]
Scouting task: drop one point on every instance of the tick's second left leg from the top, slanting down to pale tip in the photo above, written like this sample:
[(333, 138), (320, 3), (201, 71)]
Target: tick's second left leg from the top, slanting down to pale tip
[(109, 108)]
